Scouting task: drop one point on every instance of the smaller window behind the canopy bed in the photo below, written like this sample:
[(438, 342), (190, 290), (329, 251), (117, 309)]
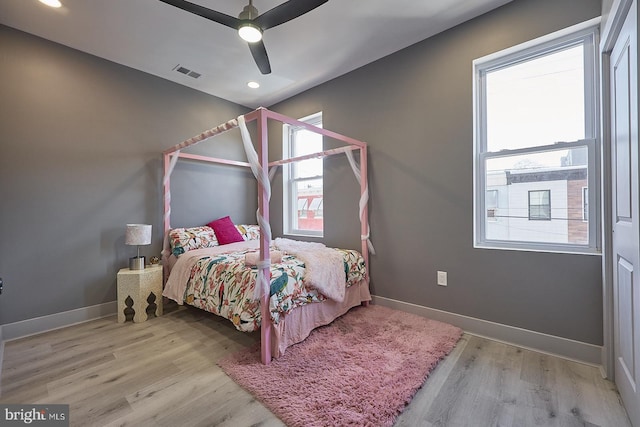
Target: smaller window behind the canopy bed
[(303, 194)]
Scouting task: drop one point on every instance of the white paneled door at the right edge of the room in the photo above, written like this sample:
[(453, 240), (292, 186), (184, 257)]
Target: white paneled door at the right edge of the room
[(626, 201)]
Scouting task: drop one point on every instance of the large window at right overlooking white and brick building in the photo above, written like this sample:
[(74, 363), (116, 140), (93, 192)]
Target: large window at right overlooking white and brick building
[(535, 145)]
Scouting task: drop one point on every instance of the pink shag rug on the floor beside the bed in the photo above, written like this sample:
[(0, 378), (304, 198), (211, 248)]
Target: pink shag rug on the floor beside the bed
[(361, 370)]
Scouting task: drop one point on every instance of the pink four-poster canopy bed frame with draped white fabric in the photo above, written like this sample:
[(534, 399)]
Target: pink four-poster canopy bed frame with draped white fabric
[(261, 116)]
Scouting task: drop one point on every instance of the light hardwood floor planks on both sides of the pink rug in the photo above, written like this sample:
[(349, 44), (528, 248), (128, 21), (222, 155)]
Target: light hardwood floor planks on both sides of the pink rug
[(163, 372)]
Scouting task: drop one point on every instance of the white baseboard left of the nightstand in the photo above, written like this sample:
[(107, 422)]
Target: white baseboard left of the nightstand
[(37, 325)]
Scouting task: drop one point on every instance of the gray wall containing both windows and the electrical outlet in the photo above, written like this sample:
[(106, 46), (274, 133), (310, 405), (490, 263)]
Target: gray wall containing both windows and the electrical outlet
[(414, 108)]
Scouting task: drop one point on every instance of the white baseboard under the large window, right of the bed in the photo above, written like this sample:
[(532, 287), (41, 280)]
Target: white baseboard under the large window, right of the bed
[(557, 346)]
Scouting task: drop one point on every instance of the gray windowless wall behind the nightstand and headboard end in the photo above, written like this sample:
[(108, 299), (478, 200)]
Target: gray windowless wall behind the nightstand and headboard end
[(80, 144)]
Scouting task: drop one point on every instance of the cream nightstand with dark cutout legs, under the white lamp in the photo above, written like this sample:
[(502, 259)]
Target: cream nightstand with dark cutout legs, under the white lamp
[(144, 288)]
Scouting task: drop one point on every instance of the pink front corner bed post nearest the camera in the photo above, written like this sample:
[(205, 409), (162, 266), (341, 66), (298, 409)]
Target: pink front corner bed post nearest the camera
[(263, 209)]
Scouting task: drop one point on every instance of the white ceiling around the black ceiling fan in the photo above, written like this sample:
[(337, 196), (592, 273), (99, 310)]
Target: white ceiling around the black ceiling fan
[(154, 37)]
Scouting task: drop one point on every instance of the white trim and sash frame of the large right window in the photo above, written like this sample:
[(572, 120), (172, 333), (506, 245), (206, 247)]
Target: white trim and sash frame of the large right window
[(510, 56)]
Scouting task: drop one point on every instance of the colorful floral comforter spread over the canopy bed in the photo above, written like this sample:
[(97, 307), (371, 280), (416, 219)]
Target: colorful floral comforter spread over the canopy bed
[(219, 282)]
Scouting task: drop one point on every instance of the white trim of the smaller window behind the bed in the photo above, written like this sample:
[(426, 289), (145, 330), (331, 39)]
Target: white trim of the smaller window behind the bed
[(288, 183)]
